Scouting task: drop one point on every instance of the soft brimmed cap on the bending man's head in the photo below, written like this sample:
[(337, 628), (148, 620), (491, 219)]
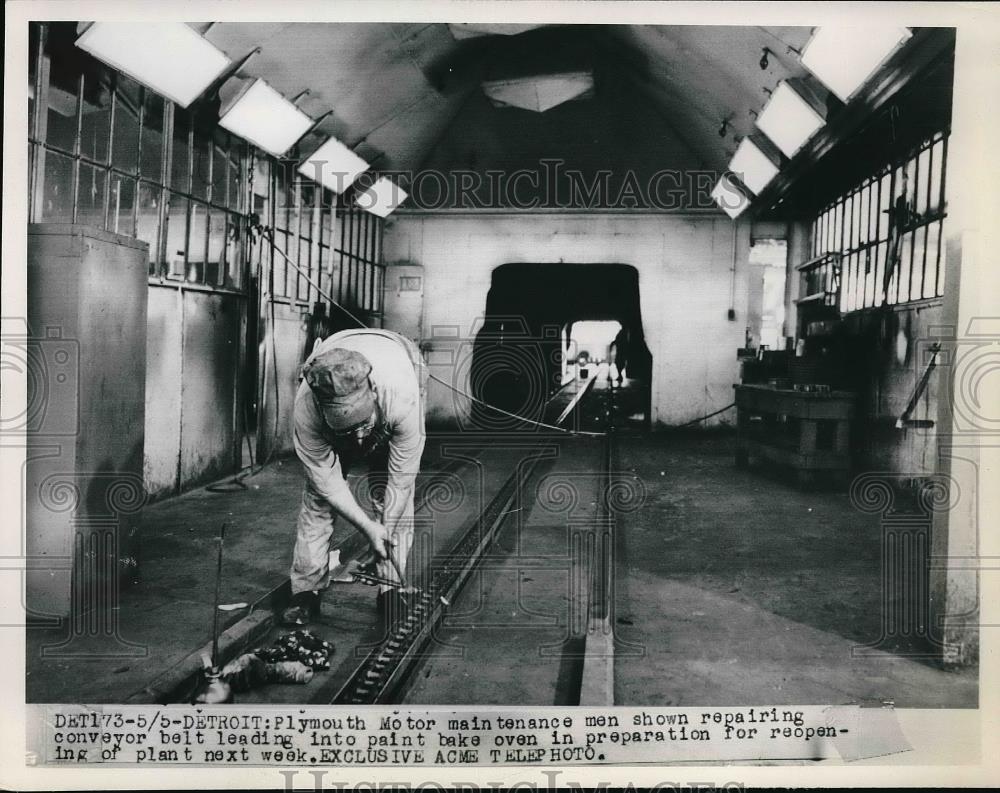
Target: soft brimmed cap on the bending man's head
[(339, 380)]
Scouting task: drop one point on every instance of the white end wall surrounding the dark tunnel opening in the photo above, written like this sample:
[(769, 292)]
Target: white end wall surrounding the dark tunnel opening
[(686, 283)]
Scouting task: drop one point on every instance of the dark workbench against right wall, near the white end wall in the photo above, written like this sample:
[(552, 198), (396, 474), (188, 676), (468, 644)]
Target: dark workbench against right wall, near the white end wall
[(808, 431)]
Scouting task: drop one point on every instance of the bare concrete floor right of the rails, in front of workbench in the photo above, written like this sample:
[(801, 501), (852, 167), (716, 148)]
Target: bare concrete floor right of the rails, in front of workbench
[(736, 587)]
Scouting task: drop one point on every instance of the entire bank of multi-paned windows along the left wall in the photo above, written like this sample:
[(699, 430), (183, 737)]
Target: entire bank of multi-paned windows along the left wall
[(106, 152)]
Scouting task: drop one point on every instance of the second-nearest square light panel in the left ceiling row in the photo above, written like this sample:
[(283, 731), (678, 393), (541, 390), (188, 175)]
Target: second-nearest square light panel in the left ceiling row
[(265, 118)]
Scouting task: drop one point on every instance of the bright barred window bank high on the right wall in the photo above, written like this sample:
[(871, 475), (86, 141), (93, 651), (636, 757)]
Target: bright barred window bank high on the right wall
[(894, 218)]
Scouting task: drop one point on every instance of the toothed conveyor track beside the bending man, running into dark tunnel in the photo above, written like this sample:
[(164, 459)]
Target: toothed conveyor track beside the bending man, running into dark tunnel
[(383, 673)]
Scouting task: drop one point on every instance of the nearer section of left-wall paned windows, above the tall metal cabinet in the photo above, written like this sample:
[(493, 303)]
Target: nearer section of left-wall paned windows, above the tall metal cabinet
[(106, 152)]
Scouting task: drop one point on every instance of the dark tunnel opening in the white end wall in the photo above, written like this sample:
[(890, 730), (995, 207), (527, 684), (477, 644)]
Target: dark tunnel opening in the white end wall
[(530, 307)]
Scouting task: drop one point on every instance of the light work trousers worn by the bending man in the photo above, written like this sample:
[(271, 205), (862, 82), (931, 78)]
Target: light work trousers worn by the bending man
[(311, 558)]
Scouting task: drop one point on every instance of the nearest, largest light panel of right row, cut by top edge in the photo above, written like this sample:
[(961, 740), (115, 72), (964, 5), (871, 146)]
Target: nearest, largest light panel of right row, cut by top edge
[(844, 58)]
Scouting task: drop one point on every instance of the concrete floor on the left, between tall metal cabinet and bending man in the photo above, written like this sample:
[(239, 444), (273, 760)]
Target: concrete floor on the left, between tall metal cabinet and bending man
[(169, 613)]
